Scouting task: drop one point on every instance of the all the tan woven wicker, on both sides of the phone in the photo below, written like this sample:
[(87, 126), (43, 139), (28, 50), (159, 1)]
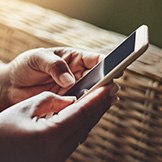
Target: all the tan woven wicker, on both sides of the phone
[(132, 129)]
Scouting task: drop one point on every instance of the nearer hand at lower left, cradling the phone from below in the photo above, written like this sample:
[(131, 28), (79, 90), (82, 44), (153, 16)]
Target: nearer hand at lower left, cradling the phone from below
[(26, 136)]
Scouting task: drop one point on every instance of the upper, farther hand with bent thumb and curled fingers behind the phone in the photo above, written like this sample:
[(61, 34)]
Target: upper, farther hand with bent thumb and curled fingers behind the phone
[(38, 70)]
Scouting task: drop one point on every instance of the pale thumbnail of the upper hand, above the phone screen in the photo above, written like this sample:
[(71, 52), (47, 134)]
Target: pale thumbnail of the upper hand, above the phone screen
[(66, 79)]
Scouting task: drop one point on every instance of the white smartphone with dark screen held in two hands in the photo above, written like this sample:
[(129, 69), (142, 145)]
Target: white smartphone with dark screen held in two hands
[(113, 64)]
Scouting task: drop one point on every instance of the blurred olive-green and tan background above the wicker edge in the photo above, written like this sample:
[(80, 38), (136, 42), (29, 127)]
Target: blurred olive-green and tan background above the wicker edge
[(122, 16)]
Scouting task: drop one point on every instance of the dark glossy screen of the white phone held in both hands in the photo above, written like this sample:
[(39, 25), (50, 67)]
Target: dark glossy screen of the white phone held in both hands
[(103, 68)]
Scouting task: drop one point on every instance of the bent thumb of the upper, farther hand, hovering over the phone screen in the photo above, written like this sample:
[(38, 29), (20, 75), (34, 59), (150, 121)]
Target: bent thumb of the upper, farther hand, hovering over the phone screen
[(55, 66)]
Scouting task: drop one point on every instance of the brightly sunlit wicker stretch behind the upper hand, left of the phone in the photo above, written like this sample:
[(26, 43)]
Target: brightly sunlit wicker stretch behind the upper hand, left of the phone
[(24, 26)]
